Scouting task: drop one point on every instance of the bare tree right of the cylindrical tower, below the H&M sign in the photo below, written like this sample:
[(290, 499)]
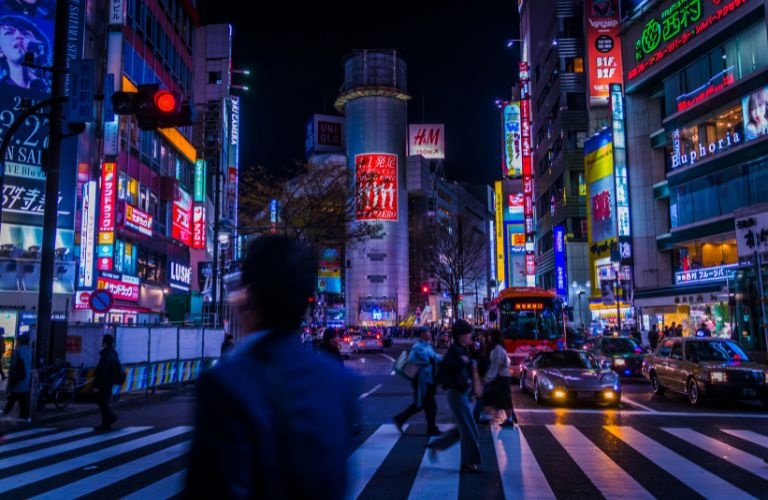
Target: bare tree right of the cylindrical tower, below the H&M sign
[(455, 257)]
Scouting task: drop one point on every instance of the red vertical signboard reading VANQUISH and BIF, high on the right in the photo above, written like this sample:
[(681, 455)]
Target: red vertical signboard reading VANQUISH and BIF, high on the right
[(603, 49)]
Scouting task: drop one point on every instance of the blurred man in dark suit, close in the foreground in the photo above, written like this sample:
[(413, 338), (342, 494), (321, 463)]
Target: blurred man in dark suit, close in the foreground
[(273, 420)]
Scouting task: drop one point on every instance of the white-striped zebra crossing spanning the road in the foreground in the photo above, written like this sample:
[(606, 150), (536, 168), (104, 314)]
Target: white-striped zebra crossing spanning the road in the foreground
[(123, 456)]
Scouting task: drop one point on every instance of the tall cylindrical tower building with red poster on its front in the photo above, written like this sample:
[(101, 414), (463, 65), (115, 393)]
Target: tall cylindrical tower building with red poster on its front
[(373, 98)]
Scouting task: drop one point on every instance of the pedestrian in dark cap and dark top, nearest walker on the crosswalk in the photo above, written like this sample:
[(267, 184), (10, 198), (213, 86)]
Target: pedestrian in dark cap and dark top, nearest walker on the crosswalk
[(457, 378)]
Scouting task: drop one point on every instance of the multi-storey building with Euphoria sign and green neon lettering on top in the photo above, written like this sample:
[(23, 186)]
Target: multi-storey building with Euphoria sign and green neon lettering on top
[(695, 82)]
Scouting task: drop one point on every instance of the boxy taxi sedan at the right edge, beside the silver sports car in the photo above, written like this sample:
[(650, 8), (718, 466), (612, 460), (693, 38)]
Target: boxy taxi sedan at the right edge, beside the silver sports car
[(706, 368)]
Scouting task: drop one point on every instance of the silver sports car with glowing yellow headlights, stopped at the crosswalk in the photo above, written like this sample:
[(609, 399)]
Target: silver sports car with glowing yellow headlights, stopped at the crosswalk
[(569, 376)]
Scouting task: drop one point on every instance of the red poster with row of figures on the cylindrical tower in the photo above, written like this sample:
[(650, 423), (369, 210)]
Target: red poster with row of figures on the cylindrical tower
[(376, 187)]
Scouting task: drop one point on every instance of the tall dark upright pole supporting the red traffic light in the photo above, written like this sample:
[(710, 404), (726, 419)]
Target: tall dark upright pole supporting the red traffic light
[(53, 167)]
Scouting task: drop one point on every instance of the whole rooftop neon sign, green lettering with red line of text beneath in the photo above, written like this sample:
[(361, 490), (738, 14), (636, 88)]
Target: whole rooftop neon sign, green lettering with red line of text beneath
[(675, 28)]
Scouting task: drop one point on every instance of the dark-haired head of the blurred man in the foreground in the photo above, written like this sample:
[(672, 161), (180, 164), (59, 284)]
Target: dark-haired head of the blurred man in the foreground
[(279, 277)]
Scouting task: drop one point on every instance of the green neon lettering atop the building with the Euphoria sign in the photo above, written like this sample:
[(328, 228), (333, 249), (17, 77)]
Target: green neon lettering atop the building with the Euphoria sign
[(673, 21)]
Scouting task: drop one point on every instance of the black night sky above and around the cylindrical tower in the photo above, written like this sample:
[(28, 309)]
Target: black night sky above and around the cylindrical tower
[(458, 64)]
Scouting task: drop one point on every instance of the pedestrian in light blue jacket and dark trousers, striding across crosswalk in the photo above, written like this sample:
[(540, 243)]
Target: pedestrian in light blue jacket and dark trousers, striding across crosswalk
[(424, 356)]
